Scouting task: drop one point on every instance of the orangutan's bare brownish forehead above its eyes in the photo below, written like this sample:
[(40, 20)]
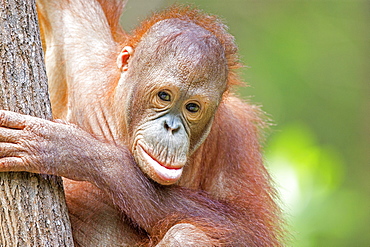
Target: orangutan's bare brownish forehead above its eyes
[(184, 52)]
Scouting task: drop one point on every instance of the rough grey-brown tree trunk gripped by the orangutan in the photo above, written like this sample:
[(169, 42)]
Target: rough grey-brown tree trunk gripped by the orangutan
[(33, 211)]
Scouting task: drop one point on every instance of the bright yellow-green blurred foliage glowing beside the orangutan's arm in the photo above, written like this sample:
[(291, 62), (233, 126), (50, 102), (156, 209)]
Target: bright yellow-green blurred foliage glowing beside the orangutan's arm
[(310, 178)]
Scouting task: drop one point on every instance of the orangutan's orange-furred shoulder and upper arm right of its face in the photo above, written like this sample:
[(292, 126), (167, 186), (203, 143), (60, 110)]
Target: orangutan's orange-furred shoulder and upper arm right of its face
[(232, 155)]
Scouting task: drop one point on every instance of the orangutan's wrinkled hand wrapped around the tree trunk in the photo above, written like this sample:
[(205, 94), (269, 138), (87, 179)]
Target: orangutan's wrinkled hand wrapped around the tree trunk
[(28, 144)]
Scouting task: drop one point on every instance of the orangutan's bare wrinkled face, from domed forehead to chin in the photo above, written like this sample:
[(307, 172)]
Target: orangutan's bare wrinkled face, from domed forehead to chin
[(178, 111)]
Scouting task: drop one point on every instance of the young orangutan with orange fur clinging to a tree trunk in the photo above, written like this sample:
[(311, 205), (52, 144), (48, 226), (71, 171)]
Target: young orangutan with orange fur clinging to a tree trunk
[(154, 147)]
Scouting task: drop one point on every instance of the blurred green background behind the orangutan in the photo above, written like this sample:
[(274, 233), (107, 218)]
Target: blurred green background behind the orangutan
[(308, 66)]
